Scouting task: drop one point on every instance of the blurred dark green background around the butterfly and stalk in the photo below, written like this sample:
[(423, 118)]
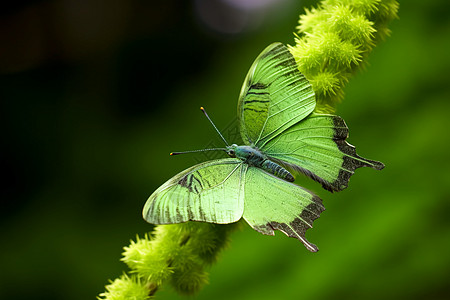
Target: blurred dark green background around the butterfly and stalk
[(95, 94)]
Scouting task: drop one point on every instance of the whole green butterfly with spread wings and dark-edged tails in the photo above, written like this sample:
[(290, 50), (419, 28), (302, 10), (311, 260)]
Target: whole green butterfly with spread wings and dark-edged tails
[(282, 135)]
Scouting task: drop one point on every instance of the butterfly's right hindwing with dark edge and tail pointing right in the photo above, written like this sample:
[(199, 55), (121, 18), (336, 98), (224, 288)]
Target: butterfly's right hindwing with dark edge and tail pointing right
[(317, 147)]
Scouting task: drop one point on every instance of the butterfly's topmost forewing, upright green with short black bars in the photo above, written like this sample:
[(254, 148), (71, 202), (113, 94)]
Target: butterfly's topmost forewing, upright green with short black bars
[(274, 96)]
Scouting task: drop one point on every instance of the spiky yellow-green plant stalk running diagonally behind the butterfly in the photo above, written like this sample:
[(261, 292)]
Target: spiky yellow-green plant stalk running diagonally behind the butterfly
[(332, 43)]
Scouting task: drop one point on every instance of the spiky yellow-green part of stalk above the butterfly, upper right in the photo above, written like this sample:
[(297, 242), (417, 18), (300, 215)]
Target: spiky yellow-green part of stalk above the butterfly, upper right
[(334, 41)]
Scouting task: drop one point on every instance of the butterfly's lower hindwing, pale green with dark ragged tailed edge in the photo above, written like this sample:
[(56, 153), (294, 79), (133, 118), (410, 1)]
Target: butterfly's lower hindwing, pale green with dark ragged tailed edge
[(275, 204)]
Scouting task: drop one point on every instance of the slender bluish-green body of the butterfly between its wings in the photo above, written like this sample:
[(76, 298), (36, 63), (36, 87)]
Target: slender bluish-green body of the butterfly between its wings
[(255, 158)]
